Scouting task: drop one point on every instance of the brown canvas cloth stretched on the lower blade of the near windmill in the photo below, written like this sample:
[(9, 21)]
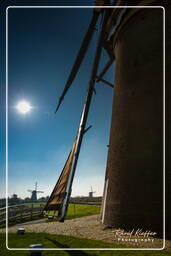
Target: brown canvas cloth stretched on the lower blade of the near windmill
[(59, 192)]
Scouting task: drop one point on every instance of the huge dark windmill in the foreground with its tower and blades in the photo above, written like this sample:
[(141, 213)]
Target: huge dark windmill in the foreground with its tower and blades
[(130, 167)]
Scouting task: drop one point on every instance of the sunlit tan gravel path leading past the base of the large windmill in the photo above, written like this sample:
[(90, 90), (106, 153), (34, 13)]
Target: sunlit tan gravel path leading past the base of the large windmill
[(85, 227)]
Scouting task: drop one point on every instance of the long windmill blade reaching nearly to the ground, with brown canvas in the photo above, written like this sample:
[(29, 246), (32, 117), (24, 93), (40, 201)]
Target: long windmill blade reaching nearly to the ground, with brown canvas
[(60, 196)]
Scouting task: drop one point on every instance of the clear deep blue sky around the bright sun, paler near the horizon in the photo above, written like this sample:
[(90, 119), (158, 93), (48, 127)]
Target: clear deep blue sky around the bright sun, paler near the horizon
[(43, 44)]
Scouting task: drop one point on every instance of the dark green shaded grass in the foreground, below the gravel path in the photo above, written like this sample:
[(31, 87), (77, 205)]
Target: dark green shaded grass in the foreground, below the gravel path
[(60, 241)]
